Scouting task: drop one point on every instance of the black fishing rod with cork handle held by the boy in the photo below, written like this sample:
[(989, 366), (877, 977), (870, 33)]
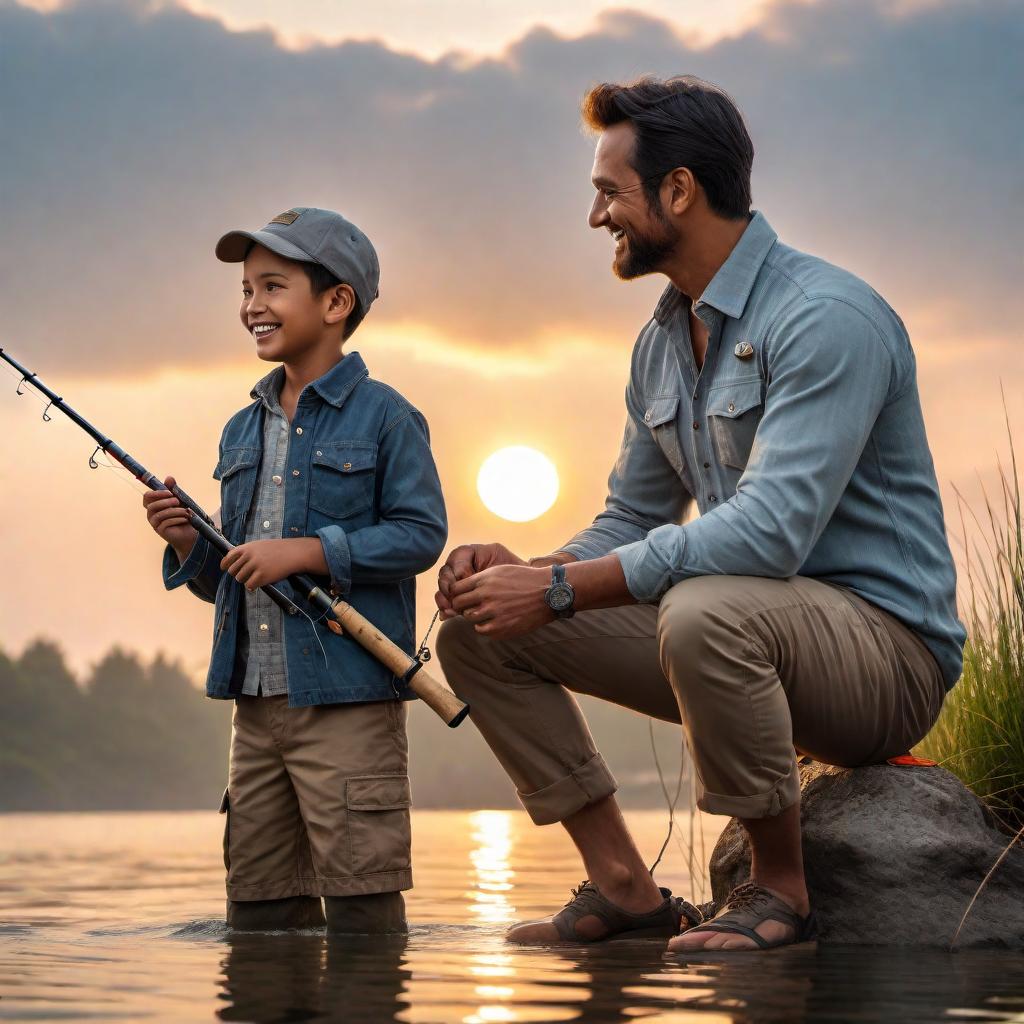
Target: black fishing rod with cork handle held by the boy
[(339, 617)]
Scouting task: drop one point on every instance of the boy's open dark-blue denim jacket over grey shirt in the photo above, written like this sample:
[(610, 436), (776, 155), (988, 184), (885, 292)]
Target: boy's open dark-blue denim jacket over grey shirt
[(361, 478)]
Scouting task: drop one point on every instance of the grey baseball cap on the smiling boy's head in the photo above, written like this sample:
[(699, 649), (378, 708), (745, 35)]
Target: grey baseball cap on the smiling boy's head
[(314, 236)]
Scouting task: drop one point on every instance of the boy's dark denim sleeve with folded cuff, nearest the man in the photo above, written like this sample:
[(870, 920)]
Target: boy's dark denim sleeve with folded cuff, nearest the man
[(413, 527)]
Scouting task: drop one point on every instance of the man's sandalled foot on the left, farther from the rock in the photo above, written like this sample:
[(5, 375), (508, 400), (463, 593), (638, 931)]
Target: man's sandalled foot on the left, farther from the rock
[(590, 917)]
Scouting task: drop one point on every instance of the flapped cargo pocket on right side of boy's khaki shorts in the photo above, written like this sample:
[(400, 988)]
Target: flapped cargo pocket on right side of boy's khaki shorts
[(379, 834)]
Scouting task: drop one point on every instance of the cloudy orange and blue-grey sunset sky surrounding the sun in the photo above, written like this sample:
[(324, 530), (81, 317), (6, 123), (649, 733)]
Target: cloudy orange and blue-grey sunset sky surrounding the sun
[(494, 291)]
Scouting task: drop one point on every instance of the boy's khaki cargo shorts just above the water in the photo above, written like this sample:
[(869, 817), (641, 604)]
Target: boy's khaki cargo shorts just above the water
[(318, 800)]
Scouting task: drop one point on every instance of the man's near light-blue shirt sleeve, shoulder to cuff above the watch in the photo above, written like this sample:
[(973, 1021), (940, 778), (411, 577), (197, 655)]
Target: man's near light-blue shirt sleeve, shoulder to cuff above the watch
[(830, 375)]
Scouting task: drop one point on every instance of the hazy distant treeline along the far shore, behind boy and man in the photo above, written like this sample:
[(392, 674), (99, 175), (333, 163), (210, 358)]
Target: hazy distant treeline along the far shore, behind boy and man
[(135, 736)]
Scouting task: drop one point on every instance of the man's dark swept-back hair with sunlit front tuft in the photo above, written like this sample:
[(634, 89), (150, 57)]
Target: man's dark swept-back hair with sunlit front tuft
[(681, 122)]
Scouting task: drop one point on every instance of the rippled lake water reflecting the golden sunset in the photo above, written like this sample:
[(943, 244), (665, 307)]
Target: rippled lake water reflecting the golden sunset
[(120, 918)]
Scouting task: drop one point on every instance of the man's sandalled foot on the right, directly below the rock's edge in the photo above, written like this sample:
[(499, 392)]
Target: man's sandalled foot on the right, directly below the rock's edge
[(753, 918)]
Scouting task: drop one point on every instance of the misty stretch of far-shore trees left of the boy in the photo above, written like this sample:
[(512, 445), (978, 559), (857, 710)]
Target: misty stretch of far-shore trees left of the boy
[(133, 737)]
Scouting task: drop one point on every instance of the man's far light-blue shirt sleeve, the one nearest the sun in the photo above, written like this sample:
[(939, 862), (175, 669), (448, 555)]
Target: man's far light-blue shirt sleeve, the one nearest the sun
[(645, 491)]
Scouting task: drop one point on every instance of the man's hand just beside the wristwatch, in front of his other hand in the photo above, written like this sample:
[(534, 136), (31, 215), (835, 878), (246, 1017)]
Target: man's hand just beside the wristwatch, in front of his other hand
[(503, 602)]
